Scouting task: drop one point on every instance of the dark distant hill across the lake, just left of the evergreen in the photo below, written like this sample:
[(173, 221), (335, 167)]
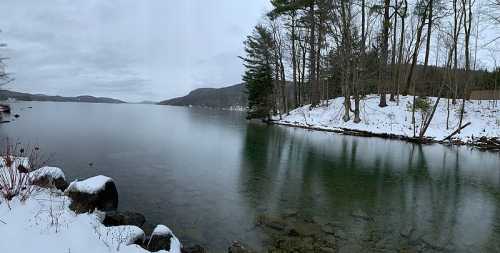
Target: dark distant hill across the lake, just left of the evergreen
[(222, 98)]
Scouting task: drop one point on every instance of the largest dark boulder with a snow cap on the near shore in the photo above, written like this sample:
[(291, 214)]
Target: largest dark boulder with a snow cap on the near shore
[(97, 192)]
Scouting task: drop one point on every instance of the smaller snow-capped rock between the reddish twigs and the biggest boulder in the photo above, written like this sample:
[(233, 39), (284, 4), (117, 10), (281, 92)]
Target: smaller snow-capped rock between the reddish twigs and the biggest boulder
[(49, 177)]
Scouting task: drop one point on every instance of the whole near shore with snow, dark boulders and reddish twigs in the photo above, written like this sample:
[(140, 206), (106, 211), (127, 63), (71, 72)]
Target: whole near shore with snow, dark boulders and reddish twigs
[(37, 202)]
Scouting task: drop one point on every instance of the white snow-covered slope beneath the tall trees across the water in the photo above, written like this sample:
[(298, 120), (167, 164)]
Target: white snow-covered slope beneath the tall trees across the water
[(396, 119)]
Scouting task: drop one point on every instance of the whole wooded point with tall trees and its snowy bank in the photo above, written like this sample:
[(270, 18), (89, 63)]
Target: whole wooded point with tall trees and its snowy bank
[(306, 55)]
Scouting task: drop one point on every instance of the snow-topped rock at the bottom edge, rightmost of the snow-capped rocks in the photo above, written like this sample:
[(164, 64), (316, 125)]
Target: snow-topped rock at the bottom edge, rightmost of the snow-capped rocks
[(162, 238)]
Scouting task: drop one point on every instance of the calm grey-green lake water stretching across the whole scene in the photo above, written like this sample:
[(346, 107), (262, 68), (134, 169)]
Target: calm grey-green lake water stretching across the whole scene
[(210, 174)]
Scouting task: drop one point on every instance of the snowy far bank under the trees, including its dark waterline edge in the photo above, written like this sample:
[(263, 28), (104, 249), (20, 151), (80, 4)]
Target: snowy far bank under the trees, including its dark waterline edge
[(481, 130)]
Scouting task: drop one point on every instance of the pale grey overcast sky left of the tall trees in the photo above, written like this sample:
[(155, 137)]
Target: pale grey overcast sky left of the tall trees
[(127, 49)]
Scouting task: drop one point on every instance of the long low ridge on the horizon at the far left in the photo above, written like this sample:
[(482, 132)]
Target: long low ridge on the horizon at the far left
[(6, 94)]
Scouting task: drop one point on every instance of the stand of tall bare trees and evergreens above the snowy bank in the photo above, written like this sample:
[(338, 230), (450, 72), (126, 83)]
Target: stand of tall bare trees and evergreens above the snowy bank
[(308, 51)]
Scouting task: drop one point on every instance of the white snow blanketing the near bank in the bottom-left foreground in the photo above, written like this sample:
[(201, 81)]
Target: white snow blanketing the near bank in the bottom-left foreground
[(44, 223)]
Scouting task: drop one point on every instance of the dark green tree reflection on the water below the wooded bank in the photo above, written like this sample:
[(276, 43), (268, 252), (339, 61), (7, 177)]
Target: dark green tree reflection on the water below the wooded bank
[(410, 193)]
